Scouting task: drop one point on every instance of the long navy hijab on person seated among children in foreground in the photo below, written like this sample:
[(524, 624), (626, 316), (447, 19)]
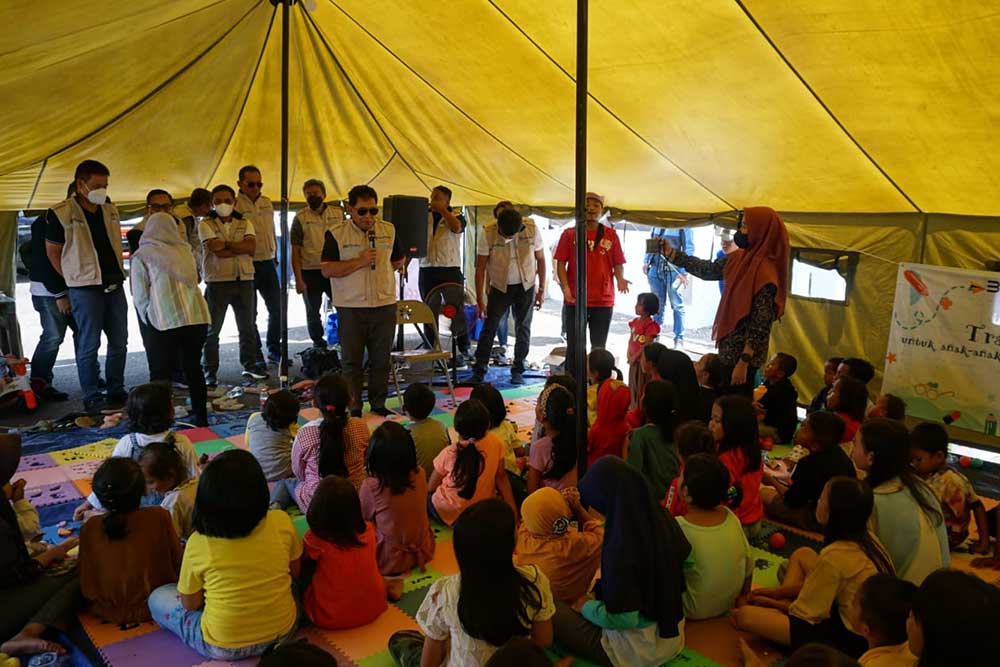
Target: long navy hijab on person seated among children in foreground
[(644, 549)]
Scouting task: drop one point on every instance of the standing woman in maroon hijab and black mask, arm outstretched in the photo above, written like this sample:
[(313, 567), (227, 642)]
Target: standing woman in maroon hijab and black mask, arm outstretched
[(756, 288)]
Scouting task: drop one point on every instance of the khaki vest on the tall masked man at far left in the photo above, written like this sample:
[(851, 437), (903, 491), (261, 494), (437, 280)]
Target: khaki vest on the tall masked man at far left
[(80, 265)]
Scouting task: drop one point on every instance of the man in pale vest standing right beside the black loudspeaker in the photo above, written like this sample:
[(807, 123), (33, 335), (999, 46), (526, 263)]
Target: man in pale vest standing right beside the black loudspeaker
[(443, 263)]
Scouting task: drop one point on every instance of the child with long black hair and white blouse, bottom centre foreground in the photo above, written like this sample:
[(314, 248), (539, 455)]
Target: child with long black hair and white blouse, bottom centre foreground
[(466, 617)]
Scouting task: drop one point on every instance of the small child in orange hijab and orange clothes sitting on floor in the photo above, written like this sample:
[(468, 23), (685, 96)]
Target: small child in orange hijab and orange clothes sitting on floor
[(567, 555)]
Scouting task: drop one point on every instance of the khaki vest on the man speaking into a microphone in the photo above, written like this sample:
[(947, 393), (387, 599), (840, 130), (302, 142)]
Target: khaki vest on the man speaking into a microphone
[(365, 288)]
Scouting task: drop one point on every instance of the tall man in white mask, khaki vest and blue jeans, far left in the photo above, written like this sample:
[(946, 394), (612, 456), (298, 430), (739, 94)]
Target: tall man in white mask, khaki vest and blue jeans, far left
[(83, 242)]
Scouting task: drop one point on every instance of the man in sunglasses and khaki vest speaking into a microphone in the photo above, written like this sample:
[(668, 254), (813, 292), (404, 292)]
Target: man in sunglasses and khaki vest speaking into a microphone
[(361, 256)]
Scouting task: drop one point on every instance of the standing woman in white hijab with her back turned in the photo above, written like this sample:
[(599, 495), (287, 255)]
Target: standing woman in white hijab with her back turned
[(167, 299)]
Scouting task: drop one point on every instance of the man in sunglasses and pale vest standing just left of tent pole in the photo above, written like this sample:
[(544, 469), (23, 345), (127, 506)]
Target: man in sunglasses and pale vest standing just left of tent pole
[(259, 210)]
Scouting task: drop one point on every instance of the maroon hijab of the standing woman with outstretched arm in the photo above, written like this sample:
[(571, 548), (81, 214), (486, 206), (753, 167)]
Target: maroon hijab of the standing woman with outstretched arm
[(747, 271)]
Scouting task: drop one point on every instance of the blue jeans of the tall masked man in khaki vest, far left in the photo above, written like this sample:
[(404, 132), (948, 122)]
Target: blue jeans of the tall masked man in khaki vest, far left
[(96, 312)]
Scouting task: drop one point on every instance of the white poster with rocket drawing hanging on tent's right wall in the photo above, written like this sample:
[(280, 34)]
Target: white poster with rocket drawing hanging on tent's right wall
[(944, 346)]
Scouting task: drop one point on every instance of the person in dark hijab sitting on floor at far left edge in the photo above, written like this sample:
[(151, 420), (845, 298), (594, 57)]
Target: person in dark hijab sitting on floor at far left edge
[(31, 601)]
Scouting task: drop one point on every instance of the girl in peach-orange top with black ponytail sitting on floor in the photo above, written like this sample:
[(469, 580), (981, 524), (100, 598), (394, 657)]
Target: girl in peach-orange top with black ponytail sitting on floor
[(470, 470)]
